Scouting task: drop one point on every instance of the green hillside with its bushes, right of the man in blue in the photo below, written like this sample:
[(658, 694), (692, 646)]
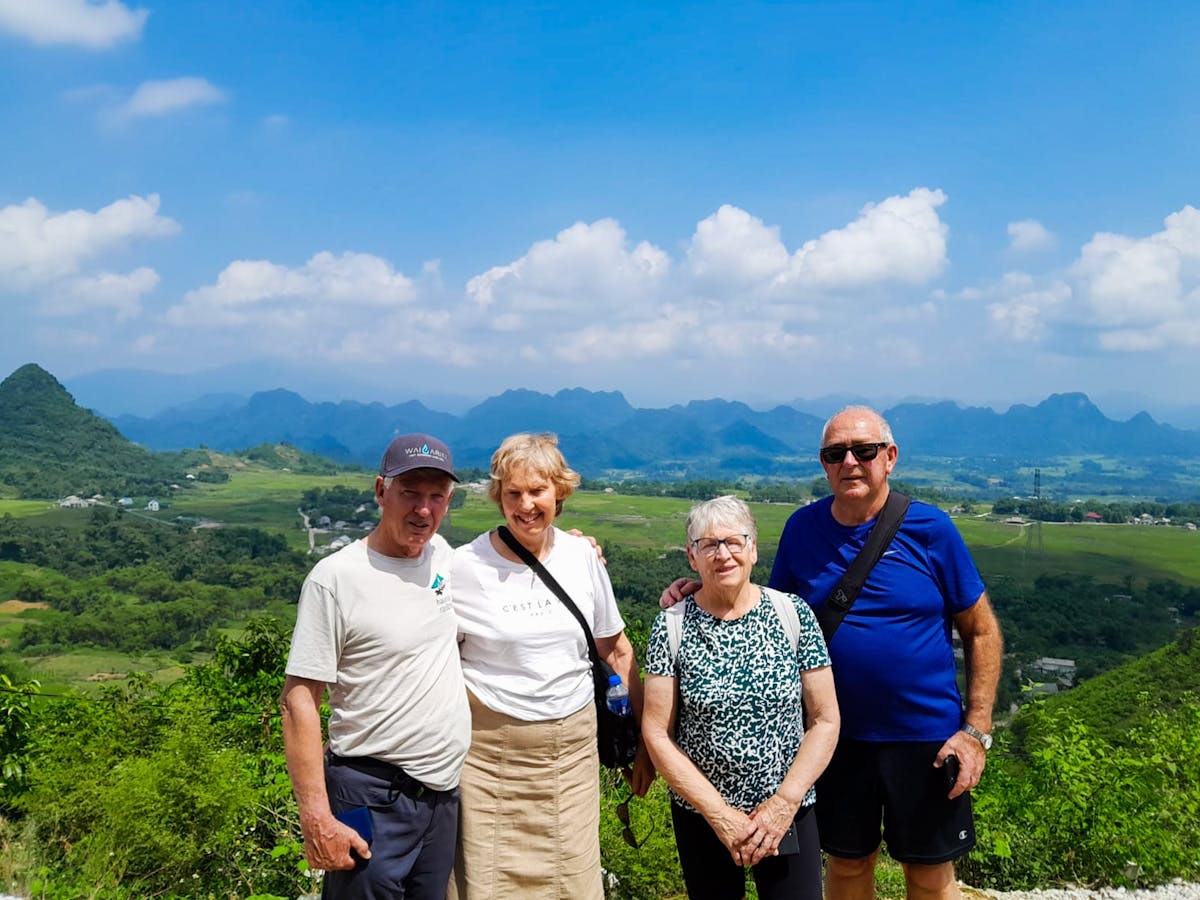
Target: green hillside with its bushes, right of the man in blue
[(1099, 785)]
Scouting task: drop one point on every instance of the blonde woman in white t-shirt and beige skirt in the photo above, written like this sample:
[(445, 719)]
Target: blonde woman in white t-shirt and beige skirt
[(531, 793)]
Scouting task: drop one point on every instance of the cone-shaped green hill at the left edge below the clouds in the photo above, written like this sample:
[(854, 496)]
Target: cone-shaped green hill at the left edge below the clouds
[(52, 448)]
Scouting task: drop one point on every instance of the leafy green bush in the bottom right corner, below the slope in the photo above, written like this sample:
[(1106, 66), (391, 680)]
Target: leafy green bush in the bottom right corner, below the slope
[(1077, 808)]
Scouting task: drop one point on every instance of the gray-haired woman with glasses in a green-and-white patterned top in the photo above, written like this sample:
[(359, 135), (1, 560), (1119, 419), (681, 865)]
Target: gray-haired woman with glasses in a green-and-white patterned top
[(723, 719)]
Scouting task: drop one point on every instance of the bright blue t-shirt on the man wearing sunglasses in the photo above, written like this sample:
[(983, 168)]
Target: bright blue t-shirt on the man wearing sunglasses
[(893, 656)]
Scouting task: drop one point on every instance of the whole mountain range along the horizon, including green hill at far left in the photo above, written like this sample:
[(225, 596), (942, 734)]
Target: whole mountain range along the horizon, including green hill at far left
[(604, 436)]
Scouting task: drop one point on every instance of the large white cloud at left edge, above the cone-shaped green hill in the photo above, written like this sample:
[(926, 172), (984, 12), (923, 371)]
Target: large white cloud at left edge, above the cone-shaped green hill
[(38, 247)]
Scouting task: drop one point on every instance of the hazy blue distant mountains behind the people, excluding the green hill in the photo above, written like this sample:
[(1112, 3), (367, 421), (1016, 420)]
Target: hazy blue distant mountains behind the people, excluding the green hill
[(604, 436)]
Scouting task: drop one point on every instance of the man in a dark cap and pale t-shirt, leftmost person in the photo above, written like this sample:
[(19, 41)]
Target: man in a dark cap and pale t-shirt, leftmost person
[(375, 627)]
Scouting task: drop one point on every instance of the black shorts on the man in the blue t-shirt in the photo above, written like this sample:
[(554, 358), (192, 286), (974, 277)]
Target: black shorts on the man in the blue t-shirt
[(893, 783)]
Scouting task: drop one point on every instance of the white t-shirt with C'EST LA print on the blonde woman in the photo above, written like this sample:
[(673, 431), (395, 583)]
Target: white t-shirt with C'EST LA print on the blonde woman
[(524, 655)]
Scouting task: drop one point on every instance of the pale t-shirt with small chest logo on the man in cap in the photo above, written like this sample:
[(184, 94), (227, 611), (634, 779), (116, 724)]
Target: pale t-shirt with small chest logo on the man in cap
[(381, 632)]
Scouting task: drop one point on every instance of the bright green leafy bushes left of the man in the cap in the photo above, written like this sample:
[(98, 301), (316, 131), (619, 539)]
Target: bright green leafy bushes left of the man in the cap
[(169, 791)]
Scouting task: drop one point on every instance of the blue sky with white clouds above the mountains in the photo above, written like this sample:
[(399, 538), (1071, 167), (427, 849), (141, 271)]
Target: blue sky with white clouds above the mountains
[(765, 202)]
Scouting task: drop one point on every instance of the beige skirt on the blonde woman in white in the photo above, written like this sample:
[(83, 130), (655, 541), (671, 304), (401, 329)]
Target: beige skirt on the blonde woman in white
[(530, 823)]
